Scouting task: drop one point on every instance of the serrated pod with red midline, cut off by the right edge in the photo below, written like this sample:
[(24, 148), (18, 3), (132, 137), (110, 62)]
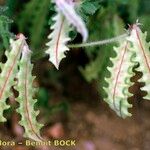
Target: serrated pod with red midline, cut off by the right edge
[(141, 47)]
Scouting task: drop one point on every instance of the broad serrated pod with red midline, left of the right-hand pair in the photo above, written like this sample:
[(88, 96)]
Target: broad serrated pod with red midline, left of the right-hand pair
[(119, 82)]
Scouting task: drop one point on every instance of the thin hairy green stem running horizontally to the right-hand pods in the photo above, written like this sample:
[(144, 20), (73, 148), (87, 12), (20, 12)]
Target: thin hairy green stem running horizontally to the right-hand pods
[(97, 43)]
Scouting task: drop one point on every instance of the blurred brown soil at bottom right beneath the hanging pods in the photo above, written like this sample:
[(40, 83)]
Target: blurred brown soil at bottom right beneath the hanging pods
[(98, 128)]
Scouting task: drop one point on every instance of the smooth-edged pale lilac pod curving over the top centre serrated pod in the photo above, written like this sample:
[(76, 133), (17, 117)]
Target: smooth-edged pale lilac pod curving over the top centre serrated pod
[(68, 10)]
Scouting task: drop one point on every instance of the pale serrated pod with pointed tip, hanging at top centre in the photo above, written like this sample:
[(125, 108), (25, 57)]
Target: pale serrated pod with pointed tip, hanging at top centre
[(58, 39)]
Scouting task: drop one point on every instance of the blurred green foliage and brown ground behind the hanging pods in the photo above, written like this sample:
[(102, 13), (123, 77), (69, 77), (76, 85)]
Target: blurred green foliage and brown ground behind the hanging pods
[(70, 100)]
